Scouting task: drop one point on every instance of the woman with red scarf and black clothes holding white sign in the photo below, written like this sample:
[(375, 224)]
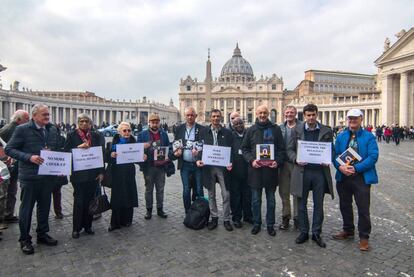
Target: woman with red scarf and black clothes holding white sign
[(84, 182)]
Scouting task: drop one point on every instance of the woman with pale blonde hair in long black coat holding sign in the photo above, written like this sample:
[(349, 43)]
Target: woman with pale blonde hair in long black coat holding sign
[(124, 195)]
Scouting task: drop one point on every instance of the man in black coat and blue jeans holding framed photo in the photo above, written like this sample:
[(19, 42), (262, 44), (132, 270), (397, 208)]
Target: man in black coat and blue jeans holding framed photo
[(263, 175)]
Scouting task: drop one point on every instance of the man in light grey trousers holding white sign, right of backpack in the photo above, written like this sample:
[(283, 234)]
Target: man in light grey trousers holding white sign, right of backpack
[(215, 134)]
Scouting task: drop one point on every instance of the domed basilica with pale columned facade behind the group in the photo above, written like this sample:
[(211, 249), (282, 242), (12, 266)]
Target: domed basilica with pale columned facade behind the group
[(236, 89)]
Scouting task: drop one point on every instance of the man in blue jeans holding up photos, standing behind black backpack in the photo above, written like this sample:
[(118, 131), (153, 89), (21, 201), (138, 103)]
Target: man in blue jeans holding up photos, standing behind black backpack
[(189, 133)]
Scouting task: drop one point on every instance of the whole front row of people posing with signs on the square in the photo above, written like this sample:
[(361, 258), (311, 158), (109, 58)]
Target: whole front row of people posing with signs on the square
[(241, 182)]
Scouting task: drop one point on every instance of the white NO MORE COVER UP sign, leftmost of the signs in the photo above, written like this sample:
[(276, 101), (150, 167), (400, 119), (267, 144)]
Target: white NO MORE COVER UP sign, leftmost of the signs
[(55, 163)]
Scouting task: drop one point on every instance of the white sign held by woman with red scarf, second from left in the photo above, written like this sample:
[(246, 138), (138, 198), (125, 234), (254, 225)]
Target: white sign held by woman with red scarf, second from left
[(90, 158)]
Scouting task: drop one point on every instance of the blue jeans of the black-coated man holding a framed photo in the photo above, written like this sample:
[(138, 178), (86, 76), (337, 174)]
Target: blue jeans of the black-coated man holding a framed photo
[(257, 206)]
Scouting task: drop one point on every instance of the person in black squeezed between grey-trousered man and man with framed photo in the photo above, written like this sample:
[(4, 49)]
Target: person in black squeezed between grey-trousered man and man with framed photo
[(240, 193)]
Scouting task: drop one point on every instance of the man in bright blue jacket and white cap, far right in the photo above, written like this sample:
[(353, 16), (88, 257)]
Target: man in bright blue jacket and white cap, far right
[(356, 179)]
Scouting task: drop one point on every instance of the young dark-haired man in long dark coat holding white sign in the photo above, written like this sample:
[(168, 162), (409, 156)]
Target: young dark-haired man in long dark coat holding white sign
[(306, 177)]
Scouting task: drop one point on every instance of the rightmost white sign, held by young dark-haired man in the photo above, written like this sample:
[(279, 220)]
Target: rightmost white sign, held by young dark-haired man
[(314, 152)]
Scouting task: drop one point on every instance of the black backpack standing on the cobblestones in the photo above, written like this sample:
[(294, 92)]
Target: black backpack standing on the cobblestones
[(198, 214)]
